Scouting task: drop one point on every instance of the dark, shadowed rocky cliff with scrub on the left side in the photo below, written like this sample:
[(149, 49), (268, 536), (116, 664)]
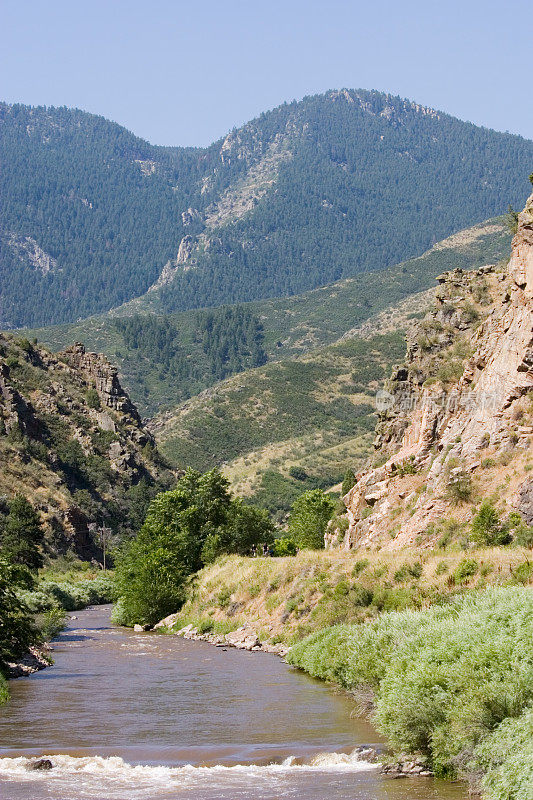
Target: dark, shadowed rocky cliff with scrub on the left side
[(72, 442)]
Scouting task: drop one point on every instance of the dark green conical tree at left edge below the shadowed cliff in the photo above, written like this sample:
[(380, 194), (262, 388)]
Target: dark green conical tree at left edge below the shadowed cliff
[(21, 534)]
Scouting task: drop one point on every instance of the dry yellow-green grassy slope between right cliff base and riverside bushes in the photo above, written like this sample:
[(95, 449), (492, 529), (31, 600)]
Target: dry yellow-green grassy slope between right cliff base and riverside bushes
[(285, 599)]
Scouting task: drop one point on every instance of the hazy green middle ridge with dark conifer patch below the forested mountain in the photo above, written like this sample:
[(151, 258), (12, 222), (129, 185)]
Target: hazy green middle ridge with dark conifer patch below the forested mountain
[(165, 359)]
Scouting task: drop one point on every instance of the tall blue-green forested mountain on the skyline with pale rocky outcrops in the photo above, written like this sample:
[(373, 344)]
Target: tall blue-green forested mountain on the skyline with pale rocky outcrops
[(313, 192)]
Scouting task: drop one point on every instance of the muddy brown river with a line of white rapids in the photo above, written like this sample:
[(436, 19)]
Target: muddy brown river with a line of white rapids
[(130, 716)]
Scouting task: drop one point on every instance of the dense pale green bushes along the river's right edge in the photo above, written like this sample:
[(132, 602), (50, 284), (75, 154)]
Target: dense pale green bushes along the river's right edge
[(451, 683)]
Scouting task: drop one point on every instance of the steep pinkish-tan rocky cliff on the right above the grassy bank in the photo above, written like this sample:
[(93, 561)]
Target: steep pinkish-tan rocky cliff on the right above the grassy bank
[(456, 420)]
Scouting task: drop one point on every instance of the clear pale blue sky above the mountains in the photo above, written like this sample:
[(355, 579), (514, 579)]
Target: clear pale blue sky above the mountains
[(186, 72)]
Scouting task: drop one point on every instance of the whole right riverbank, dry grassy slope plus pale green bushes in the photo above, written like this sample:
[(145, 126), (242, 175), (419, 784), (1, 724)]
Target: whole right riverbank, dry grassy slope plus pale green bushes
[(447, 668)]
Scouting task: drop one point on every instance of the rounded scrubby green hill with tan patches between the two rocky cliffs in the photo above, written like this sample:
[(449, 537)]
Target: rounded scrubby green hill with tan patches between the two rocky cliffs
[(316, 411)]
